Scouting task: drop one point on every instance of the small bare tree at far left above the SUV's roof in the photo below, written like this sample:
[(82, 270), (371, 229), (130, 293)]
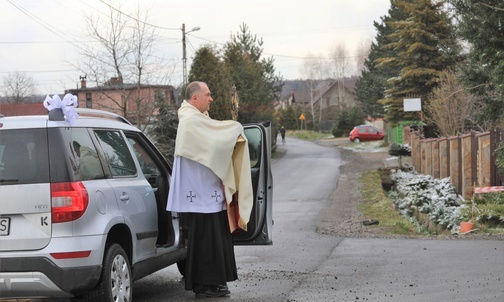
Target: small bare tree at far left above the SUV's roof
[(18, 86)]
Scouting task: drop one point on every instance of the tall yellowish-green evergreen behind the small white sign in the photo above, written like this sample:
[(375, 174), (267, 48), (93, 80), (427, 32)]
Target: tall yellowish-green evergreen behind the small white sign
[(423, 46)]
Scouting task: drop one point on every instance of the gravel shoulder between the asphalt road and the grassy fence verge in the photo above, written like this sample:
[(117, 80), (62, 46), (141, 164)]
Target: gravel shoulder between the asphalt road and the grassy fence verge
[(342, 218)]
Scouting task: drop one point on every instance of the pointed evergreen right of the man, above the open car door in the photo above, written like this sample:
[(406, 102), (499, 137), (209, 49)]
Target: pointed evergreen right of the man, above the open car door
[(254, 77)]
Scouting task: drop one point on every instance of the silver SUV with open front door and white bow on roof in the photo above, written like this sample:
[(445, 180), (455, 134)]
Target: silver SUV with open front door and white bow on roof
[(82, 207)]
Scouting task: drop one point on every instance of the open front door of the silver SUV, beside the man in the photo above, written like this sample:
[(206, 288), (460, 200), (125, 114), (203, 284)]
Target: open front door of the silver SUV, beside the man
[(259, 229)]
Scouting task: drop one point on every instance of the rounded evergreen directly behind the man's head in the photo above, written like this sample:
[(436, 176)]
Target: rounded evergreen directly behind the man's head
[(209, 68)]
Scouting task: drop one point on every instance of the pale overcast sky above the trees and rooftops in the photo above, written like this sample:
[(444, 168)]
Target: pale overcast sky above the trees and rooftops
[(38, 36)]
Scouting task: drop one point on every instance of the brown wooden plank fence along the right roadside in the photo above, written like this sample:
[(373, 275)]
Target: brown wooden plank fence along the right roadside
[(467, 159)]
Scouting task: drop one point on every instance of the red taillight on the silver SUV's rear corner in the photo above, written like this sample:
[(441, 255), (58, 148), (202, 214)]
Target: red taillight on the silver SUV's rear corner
[(69, 201)]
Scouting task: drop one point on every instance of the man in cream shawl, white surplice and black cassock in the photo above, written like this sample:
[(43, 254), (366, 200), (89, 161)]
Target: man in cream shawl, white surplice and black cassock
[(211, 166)]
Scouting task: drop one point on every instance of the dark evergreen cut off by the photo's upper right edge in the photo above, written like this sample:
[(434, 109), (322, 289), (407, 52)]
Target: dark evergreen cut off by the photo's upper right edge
[(480, 24)]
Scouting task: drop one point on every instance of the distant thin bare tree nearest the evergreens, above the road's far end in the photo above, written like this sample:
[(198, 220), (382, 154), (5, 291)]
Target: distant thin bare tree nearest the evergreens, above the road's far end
[(314, 69)]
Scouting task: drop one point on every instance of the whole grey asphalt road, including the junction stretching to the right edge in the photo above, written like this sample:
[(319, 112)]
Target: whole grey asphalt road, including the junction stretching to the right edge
[(303, 265)]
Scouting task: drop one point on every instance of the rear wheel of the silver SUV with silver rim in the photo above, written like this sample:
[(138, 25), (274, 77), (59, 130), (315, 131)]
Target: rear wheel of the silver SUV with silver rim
[(116, 283)]
